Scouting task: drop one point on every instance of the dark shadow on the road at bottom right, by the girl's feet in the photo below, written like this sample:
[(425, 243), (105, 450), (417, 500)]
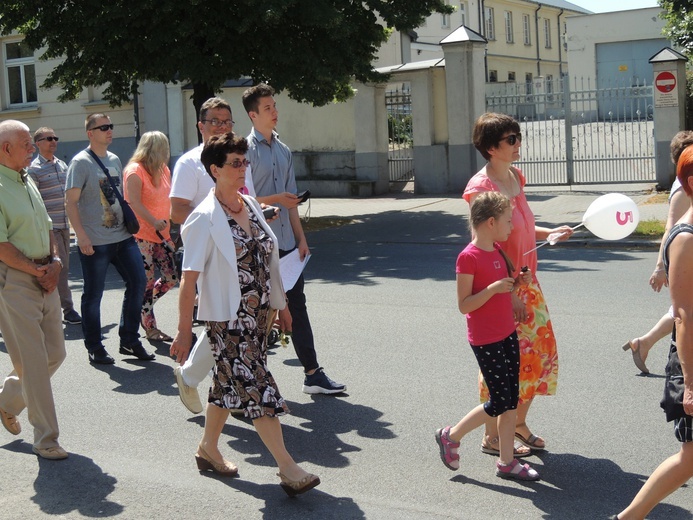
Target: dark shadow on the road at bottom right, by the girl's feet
[(577, 487)]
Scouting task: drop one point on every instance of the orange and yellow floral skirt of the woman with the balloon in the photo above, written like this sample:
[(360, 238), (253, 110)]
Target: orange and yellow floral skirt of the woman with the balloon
[(538, 354)]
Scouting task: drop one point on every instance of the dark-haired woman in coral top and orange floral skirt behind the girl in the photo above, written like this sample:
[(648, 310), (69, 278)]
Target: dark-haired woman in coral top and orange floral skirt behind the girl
[(498, 139)]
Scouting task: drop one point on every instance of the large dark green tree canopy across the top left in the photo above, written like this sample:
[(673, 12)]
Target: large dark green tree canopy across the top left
[(311, 48)]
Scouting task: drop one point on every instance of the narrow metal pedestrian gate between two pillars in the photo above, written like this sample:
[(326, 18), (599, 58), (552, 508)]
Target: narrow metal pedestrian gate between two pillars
[(400, 135)]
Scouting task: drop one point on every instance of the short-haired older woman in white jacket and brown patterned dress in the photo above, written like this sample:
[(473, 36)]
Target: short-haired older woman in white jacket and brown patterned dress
[(231, 254)]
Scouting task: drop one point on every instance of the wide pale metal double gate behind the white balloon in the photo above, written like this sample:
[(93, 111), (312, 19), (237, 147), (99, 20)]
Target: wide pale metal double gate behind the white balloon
[(610, 131)]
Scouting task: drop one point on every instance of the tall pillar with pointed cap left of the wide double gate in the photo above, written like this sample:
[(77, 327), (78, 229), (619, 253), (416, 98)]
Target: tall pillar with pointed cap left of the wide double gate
[(466, 100)]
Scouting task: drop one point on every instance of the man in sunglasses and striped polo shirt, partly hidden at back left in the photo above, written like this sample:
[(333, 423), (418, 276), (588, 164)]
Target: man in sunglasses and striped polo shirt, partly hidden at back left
[(49, 174)]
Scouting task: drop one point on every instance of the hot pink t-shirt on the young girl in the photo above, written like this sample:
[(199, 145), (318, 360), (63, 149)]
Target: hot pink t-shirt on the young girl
[(493, 321)]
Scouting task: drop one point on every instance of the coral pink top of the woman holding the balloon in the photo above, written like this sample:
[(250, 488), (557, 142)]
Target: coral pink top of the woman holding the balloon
[(523, 236)]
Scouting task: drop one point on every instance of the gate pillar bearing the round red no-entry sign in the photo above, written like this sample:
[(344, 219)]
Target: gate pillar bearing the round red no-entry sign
[(669, 89)]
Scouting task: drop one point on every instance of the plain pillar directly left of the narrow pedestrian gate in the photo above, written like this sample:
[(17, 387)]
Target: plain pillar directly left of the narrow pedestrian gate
[(371, 139)]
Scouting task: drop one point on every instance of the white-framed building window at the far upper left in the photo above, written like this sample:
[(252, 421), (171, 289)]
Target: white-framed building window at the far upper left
[(20, 74)]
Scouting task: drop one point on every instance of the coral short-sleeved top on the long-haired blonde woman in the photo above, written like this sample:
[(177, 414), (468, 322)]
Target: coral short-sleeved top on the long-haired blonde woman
[(154, 198)]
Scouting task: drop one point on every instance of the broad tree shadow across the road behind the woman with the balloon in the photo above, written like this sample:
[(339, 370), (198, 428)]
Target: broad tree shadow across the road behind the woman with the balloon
[(419, 245)]
